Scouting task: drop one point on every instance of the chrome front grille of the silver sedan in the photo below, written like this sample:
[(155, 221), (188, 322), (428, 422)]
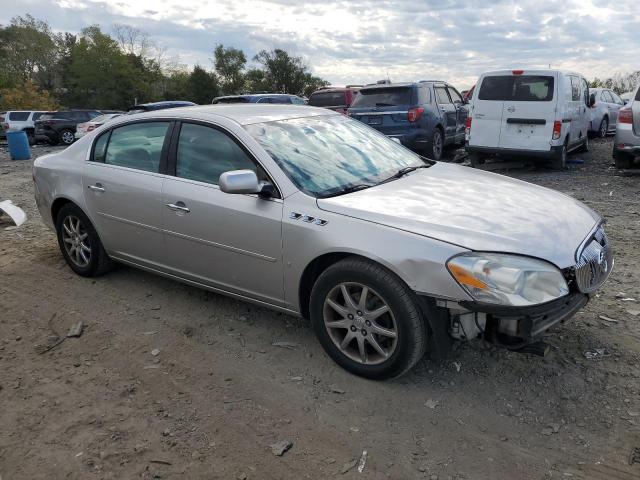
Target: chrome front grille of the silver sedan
[(595, 262)]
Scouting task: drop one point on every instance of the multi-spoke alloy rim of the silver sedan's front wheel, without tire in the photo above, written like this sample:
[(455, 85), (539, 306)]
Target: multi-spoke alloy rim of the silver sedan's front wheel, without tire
[(360, 323)]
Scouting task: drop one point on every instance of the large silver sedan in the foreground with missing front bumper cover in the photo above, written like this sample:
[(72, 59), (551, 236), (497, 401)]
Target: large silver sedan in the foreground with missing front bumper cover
[(312, 213)]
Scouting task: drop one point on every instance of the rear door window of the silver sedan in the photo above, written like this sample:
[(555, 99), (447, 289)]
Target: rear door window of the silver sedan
[(138, 145)]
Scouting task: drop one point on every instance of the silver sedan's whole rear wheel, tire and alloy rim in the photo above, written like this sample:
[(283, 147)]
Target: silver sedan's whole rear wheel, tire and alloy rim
[(80, 244)]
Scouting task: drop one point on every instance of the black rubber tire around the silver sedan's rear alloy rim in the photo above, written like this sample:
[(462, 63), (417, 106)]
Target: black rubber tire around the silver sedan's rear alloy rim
[(99, 262)]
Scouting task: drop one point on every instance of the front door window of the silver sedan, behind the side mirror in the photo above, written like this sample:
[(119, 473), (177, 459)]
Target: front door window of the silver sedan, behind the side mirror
[(205, 153)]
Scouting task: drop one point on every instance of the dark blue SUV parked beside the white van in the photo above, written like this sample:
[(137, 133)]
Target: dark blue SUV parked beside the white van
[(424, 116)]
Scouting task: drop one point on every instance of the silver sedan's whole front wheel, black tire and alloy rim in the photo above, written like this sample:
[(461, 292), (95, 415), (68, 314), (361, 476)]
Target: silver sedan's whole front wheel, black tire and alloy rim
[(367, 319)]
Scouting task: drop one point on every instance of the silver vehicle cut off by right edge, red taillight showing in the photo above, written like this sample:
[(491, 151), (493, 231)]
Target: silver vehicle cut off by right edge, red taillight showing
[(626, 145)]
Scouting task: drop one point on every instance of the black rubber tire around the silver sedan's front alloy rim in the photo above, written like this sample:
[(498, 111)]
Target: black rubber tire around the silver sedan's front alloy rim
[(410, 326)]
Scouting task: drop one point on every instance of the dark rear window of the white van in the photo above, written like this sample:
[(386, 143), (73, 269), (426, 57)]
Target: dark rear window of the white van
[(520, 88)]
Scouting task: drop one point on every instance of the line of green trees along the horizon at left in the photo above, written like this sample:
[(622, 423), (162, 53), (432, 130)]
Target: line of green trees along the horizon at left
[(94, 69)]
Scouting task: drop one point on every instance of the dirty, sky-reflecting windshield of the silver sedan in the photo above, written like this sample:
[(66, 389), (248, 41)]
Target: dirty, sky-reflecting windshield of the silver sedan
[(328, 154)]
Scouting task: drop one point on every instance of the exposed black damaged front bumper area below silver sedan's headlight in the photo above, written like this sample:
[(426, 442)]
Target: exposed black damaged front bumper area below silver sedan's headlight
[(511, 327)]
